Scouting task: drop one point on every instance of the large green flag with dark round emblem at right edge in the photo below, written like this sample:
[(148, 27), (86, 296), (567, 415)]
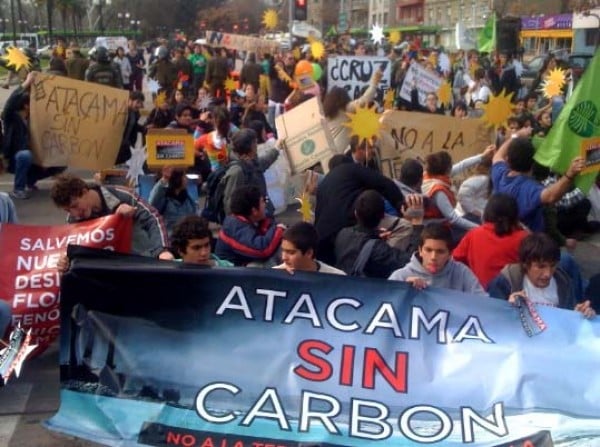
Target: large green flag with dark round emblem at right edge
[(577, 130)]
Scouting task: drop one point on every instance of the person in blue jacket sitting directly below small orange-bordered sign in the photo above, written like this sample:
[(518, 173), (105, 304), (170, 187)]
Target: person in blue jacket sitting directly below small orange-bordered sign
[(170, 197)]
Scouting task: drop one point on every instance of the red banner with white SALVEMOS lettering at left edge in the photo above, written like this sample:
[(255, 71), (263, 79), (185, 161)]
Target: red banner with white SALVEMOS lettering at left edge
[(30, 279)]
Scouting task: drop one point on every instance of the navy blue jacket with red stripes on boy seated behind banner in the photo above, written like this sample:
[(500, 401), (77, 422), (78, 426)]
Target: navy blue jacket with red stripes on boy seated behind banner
[(240, 241)]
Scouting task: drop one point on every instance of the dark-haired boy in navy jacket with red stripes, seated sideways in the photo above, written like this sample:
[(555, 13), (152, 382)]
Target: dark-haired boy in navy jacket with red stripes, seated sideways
[(248, 235)]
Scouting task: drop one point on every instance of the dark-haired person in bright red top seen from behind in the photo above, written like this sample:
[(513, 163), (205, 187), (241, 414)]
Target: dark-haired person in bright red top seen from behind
[(491, 246)]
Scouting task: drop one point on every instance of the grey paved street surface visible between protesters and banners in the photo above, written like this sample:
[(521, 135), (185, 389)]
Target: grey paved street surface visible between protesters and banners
[(34, 397)]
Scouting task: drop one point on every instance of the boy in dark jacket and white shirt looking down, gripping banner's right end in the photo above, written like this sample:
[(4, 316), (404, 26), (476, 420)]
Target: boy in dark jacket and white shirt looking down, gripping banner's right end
[(538, 278)]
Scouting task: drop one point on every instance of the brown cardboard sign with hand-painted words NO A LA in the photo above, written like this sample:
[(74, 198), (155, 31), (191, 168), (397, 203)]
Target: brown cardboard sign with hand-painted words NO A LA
[(416, 135)]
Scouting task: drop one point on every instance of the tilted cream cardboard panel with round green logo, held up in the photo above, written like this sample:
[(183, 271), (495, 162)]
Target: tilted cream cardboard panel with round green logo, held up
[(305, 136)]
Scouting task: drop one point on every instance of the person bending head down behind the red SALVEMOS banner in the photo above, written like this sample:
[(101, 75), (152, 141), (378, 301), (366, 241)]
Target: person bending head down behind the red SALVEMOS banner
[(84, 201)]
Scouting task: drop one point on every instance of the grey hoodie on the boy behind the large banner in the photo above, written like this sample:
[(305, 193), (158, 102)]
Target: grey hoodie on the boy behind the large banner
[(455, 275)]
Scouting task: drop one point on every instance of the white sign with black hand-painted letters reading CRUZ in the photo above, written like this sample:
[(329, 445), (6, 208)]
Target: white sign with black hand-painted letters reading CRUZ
[(354, 73)]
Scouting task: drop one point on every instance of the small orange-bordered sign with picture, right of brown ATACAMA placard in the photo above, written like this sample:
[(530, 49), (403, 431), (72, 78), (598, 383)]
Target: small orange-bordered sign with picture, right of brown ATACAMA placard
[(170, 147)]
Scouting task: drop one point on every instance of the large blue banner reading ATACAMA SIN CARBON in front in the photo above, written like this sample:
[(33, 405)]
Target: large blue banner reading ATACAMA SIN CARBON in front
[(266, 358)]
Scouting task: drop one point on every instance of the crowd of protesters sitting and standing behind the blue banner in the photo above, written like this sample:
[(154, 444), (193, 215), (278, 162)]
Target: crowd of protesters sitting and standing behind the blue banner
[(496, 233)]
